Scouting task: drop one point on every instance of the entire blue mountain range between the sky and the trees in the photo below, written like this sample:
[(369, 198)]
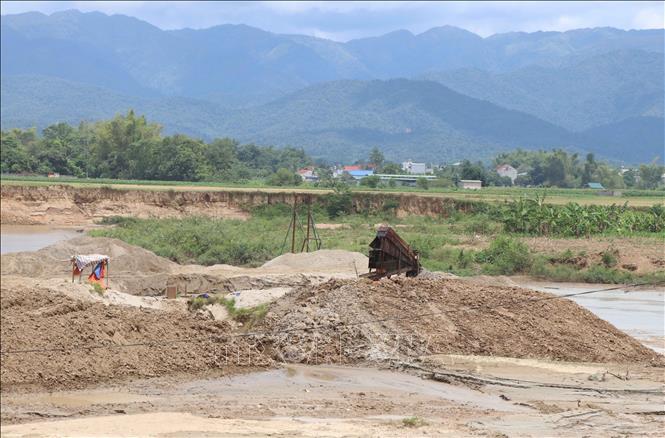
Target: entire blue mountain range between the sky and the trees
[(437, 96)]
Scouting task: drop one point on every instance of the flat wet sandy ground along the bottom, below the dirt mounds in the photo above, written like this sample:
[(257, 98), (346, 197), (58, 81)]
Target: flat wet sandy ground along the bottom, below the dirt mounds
[(333, 401)]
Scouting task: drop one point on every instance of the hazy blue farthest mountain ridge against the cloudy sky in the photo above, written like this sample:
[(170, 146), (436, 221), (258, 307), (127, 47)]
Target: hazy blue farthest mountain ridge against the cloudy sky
[(236, 59)]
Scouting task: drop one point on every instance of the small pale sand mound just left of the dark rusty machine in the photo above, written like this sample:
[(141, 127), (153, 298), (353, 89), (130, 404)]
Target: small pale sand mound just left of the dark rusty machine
[(325, 260)]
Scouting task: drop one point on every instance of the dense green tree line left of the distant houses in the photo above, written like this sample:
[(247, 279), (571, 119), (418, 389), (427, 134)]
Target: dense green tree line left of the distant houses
[(129, 147)]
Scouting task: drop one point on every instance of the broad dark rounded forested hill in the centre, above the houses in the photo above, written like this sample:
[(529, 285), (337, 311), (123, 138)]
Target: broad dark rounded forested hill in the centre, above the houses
[(409, 119)]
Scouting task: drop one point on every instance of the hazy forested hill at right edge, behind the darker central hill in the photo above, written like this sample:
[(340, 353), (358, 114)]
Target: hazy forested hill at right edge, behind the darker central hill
[(581, 94)]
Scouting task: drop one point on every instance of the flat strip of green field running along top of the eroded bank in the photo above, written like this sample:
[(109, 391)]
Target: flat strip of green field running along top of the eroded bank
[(635, 198)]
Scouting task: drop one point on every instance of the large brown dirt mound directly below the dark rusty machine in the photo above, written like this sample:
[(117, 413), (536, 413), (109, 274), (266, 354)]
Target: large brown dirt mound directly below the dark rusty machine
[(416, 317)]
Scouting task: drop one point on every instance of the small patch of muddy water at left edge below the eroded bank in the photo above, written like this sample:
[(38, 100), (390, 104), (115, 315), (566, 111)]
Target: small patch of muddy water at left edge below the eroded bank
[(16, 238)]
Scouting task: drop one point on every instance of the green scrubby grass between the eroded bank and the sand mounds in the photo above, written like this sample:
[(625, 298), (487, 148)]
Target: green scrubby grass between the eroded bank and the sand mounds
[(464, 244)]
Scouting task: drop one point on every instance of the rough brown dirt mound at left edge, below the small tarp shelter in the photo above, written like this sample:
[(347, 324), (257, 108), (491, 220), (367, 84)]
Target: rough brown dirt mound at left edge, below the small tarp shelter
[(38, 319)]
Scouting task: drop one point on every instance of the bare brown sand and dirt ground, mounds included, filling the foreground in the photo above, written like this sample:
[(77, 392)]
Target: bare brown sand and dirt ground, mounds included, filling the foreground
[(216, 379)]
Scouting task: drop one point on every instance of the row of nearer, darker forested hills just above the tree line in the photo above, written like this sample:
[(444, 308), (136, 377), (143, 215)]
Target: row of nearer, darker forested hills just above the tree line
[(421, 120)]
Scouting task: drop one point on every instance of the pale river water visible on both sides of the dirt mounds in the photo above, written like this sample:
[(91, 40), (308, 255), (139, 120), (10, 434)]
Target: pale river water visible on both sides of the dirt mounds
[(641, 313)]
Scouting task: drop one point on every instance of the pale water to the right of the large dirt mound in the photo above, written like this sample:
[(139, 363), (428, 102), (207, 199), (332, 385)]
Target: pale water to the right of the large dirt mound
[(640, 313)]
